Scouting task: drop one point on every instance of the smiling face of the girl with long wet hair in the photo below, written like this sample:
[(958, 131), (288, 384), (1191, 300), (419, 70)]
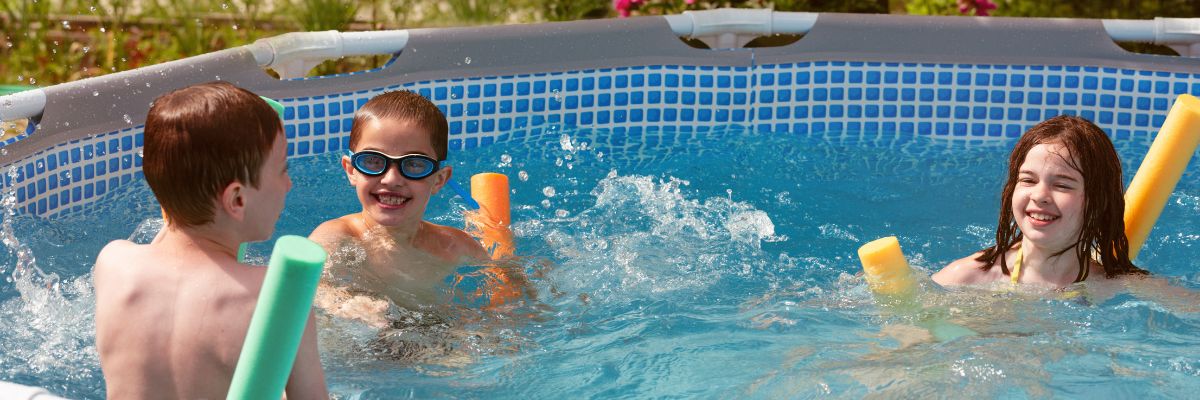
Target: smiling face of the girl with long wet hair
[(1048, 200)]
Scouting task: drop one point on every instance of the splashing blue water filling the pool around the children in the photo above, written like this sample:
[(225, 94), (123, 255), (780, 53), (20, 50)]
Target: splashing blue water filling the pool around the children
[(689, 265)]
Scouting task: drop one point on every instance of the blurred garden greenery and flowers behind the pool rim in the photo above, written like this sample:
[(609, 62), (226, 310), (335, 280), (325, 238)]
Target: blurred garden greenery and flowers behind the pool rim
[(52, 41)]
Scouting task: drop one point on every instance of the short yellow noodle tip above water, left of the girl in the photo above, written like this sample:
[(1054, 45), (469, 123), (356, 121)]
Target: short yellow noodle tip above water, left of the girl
[(887, 271)]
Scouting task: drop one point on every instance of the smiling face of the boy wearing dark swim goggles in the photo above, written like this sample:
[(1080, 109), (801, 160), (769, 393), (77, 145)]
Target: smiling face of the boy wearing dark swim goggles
[(391, 200)]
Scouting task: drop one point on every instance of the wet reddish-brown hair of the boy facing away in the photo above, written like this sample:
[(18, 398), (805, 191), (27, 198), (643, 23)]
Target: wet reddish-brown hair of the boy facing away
[(201, 139)]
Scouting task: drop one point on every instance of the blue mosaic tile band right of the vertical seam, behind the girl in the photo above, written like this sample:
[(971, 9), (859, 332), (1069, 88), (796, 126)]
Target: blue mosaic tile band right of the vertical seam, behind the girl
[(961, 102)]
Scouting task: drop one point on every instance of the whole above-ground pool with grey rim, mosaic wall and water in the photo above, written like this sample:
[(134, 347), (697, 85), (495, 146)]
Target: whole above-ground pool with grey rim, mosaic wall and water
[(689, 218)]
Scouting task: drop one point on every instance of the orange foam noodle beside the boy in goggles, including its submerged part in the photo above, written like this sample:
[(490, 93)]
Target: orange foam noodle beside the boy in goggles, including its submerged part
[(491, 224)]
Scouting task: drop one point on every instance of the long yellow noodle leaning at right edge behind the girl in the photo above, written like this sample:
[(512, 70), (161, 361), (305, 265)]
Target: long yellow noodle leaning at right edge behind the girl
[(1161, 171)]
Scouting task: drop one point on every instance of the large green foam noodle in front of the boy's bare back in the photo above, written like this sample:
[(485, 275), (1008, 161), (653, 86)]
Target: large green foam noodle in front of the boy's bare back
[(279, 321)]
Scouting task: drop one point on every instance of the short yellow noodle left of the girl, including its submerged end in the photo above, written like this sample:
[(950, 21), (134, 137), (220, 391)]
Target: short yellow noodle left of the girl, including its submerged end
[(891, 279)]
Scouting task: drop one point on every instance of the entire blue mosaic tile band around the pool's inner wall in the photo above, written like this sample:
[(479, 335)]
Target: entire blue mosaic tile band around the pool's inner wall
[(952, 102)]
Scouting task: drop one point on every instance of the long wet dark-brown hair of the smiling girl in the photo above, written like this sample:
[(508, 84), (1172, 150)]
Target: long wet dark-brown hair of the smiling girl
[(1093, 156)]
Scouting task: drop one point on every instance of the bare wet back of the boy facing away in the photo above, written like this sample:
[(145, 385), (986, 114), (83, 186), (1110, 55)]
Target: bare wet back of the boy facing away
[(171, 321)]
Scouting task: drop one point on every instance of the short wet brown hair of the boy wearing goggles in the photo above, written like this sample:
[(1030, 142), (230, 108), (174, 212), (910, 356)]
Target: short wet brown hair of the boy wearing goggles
[(404, 106)]
